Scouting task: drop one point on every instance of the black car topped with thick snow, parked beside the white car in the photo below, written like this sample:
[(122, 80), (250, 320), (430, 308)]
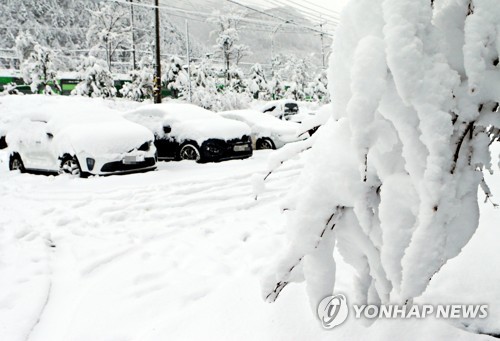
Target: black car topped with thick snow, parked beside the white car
[(188, 132)]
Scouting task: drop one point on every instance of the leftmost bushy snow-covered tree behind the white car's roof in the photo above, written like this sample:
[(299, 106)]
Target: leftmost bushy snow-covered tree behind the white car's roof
[(39, 72)]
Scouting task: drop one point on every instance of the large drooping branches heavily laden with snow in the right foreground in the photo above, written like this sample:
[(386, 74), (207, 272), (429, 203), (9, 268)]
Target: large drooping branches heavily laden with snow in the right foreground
[(393, 177)]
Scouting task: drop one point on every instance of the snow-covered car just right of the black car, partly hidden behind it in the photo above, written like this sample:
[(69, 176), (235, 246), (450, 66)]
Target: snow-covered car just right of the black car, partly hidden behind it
[(268, 132)]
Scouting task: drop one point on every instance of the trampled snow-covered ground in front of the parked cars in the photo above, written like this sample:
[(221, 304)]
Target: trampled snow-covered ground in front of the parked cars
[(179, 254)]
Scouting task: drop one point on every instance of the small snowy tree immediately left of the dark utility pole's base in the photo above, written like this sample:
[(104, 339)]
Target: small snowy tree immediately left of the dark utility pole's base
[(141, 86)]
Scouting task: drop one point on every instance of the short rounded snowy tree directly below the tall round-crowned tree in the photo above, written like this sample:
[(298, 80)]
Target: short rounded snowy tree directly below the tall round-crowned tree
[(97, 81)]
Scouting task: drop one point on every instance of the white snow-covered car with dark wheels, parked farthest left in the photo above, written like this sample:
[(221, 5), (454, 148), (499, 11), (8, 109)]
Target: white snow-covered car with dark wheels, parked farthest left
[(94, 143)]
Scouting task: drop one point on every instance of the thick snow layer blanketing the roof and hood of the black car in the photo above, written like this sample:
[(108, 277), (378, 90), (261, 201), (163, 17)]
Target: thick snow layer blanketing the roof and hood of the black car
[(187, 122)]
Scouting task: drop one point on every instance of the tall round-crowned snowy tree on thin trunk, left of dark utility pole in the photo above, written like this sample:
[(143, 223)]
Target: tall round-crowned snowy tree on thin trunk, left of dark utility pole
[(109, 29)]
